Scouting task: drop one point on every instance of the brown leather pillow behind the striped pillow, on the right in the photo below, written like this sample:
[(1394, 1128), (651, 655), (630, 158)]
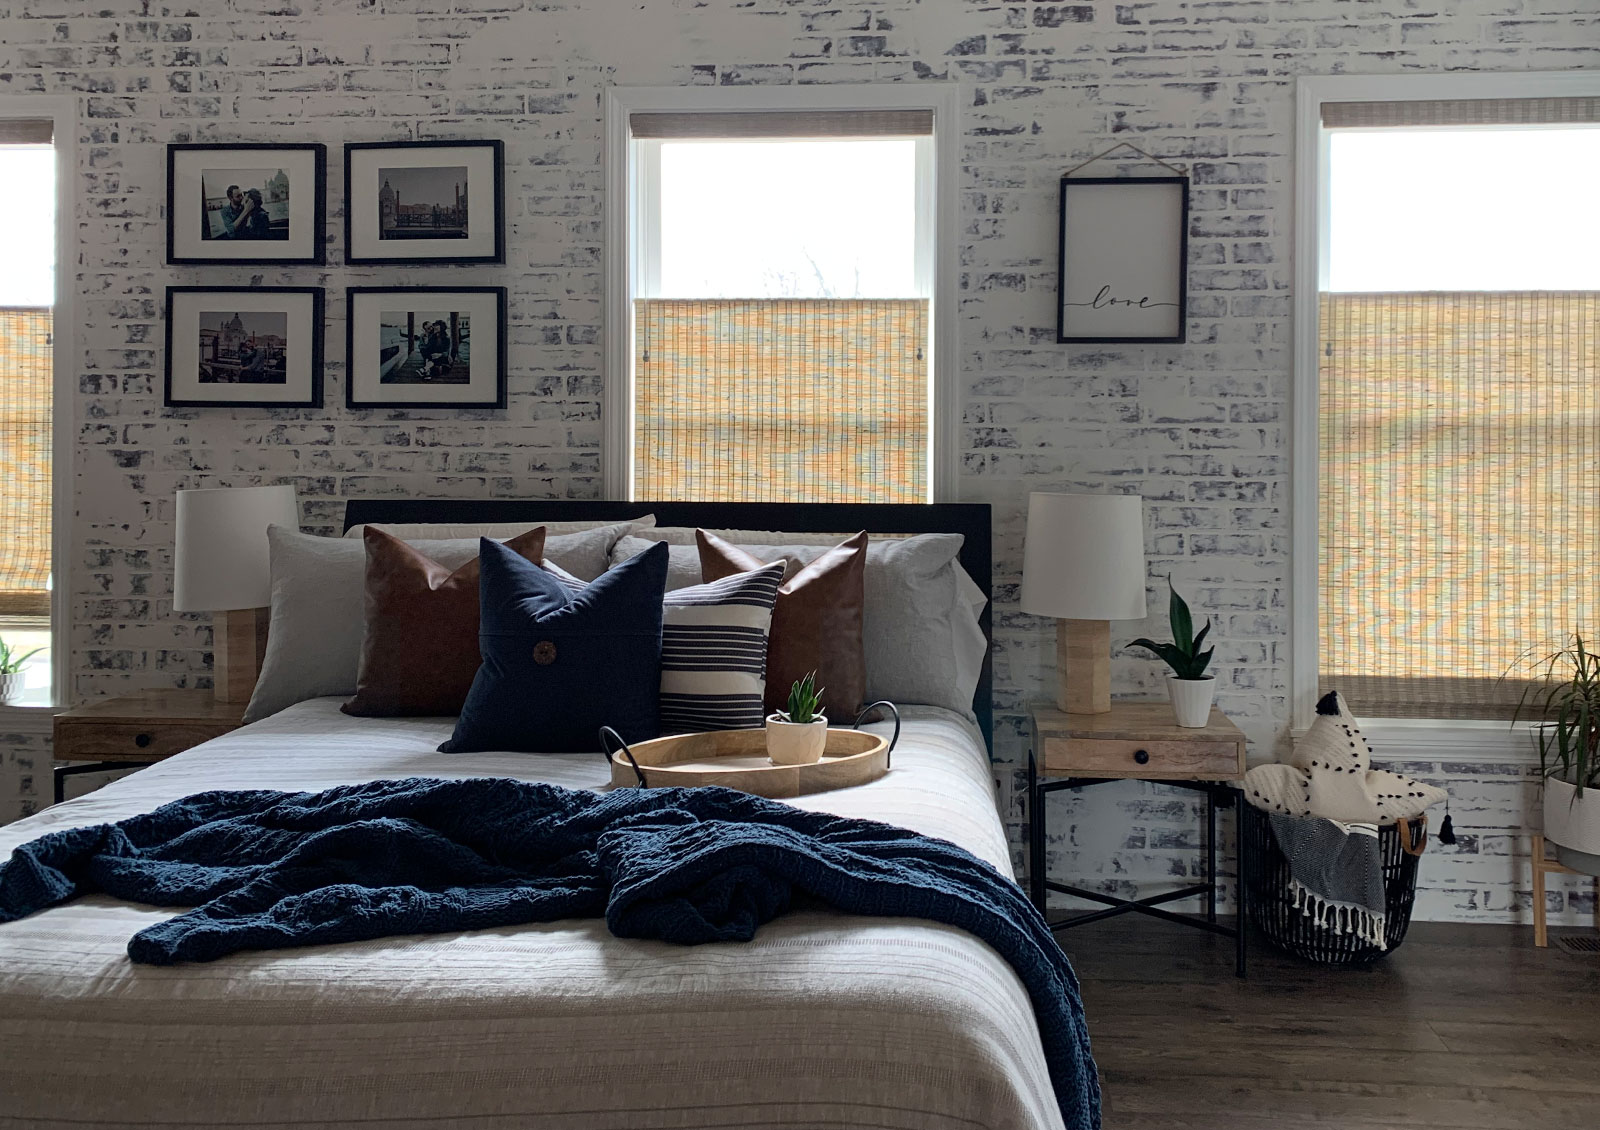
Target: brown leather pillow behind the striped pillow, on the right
[(817, 623)]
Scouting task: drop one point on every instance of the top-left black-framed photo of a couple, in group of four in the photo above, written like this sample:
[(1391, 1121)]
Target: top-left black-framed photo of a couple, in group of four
[(247, 204)]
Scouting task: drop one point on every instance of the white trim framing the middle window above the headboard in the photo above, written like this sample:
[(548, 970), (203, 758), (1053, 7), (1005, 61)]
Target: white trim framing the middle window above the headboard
[(620, 225)]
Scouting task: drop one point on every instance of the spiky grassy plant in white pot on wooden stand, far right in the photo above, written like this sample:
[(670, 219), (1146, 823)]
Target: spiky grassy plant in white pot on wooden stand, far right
[(1564, 703)]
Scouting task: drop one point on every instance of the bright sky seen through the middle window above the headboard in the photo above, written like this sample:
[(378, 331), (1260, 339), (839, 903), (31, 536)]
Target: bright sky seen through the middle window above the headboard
[(788, 218)]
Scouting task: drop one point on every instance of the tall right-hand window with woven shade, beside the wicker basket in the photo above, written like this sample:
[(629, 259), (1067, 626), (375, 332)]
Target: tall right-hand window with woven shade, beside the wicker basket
[(1457, 337)]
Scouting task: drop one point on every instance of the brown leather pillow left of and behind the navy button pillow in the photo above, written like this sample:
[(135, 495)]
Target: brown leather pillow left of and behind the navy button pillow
[(422, 647)]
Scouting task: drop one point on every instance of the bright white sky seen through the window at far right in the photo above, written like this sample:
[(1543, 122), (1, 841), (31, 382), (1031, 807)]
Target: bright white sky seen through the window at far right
[(1465, 209)]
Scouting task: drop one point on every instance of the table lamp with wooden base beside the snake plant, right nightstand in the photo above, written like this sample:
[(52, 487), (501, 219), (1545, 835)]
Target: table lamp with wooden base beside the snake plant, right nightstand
[(1084, 566)]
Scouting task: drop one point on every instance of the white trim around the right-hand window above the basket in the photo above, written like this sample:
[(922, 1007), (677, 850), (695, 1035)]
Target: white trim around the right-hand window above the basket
[(1417, 739)]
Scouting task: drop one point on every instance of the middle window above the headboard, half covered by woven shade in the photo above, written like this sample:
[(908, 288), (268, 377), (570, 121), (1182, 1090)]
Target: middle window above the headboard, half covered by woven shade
[(782, 315)]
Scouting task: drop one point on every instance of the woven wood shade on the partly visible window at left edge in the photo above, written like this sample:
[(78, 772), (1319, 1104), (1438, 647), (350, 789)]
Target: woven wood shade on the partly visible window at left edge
[(25, 454)]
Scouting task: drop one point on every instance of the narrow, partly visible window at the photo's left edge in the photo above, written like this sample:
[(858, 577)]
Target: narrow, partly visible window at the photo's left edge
[(28, 199)]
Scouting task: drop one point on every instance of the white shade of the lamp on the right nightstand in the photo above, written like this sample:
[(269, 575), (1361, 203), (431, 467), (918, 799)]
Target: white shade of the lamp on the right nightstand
[(1084, 558)]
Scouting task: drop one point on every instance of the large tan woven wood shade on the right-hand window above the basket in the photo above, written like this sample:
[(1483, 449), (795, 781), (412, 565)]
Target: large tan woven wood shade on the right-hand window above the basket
[(1460, 494)]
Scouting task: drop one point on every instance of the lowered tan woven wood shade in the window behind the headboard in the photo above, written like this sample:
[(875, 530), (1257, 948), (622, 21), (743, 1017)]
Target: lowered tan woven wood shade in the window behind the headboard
[(782, 401)]
